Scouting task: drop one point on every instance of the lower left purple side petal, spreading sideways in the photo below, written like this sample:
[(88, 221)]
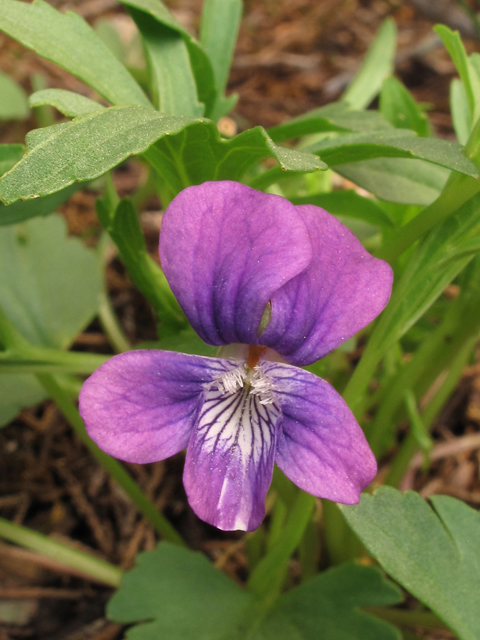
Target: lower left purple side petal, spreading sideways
[(140, 406)]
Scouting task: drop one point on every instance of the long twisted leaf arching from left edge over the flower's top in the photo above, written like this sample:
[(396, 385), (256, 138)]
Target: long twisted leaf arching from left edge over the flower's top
[(90, 145)]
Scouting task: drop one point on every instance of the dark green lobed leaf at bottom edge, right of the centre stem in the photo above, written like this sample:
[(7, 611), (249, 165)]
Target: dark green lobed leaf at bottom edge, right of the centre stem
[(330, 602)]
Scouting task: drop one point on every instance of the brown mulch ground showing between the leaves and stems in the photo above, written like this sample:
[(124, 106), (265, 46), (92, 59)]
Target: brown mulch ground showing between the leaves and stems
[(292, 56)]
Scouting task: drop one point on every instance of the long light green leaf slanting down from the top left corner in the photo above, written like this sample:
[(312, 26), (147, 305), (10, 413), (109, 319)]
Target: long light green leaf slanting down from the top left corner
[(68, 40)]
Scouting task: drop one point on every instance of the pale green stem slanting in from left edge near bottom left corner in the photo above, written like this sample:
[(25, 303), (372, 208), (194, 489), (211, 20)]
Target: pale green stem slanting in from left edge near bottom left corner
[(87, 564)]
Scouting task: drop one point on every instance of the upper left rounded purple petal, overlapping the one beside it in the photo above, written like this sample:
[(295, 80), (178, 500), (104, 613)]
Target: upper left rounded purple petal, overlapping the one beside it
[(225, 250)]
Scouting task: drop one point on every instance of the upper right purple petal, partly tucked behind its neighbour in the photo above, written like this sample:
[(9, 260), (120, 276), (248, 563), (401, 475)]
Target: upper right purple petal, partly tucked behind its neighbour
[(343, 289)]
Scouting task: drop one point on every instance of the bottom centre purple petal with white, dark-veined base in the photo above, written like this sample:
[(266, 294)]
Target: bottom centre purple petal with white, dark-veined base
[(230, 458)]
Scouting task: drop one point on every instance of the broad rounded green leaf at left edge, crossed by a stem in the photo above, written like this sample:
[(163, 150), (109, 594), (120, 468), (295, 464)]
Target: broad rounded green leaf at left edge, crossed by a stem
[(50, 290)]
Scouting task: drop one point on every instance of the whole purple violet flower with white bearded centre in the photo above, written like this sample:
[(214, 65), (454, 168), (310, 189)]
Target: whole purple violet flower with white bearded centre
[(283, 286)]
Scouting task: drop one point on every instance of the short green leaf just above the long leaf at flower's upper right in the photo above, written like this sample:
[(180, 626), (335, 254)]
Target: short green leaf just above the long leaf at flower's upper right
[(338, 116)]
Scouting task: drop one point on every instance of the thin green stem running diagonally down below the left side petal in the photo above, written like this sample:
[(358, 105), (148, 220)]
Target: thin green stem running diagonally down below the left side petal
[(114, 468)]
